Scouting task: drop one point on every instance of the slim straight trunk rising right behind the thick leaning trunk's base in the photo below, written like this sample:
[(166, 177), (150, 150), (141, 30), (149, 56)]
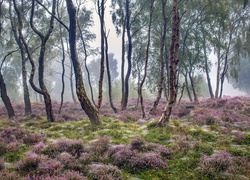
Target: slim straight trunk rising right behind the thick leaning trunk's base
[(101, 10)]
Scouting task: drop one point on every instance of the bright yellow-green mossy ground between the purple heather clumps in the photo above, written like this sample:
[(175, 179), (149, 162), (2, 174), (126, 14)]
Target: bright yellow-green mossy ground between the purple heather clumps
[(200, 140)]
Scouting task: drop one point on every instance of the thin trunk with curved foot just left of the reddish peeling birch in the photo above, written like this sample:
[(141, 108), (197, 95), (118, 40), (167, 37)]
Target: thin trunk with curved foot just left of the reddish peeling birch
[(163, 39)]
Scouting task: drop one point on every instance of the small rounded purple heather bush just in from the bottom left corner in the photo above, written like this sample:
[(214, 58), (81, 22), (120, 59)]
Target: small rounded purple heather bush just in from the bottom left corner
[(28, 163)]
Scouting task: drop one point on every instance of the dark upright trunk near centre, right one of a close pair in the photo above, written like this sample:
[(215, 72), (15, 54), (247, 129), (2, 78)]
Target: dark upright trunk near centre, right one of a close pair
[(125, 102)]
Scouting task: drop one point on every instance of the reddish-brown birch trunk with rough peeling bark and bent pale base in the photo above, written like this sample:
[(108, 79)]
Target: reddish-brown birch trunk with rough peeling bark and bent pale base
[(173, 64)]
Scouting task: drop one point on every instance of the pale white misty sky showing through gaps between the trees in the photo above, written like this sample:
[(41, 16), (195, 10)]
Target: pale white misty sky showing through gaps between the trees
[(115, 47)]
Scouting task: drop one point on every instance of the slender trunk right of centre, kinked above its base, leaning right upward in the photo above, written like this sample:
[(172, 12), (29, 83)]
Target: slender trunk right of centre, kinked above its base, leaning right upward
[(146, 60)]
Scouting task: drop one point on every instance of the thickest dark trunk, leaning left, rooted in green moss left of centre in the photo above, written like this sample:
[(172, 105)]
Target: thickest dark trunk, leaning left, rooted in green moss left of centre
[(90, 110)]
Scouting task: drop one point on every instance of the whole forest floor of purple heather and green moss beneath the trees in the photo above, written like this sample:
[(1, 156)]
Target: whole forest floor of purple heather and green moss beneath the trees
[(205, 140)]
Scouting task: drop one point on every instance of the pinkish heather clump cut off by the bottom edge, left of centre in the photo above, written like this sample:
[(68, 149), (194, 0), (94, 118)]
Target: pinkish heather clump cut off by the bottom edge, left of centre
[(104, 172)]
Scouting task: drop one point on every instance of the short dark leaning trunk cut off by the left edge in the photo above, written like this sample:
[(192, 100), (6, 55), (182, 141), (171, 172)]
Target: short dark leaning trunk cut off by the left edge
[(5, 98)]
